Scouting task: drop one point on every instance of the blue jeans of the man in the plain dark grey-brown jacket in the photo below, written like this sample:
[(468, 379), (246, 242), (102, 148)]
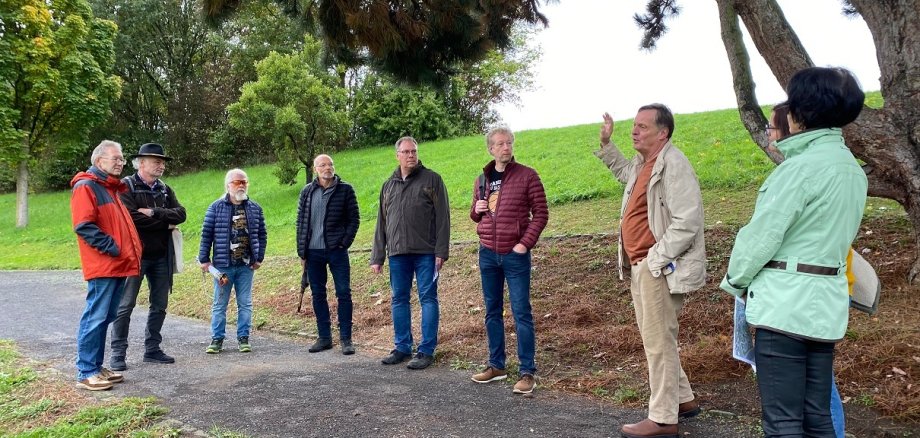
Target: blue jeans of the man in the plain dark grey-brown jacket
[(402, 269)]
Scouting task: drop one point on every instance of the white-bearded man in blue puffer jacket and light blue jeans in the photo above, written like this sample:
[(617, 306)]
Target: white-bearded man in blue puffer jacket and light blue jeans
[(234, 233)]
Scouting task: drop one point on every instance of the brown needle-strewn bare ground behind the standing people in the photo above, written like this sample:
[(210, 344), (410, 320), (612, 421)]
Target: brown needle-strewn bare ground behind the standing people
[(588, 343)]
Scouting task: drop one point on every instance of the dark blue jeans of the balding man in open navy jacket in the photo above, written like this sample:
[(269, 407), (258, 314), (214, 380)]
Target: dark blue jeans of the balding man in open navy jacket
[(337, 260)]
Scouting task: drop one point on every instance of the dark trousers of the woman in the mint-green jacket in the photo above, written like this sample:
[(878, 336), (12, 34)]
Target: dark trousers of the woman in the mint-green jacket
[(795, 377)]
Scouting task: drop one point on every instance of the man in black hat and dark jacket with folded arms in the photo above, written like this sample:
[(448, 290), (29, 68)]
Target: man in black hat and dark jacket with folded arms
[(156, 213)]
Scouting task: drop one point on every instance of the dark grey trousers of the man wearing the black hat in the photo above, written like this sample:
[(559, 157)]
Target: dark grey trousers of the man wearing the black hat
[(157, 273)]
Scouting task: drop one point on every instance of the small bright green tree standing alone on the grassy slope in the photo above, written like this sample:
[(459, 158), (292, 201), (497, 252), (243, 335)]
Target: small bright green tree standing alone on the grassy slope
[(296, 106)]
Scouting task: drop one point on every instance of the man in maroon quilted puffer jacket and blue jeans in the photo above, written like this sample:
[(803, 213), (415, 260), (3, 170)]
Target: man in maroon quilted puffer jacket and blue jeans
[(509, 205)]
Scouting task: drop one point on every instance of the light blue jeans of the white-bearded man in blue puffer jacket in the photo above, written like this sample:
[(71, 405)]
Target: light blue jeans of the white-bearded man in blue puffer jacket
[(240, 279)]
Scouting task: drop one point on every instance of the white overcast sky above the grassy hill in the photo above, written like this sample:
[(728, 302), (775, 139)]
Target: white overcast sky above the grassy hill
[(591, 61)]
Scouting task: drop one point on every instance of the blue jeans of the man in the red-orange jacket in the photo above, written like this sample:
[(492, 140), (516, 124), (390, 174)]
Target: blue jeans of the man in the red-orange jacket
[(102, 299)]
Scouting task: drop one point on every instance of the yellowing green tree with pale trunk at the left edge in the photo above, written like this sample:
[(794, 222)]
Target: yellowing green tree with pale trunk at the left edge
[(56, 60)]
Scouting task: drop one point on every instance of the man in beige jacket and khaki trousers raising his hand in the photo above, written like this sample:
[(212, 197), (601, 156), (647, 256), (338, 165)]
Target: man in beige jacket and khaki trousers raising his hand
[(661, 240)]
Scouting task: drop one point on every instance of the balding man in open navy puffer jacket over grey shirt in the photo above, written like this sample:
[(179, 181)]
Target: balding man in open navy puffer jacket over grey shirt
[(327, 222)]
